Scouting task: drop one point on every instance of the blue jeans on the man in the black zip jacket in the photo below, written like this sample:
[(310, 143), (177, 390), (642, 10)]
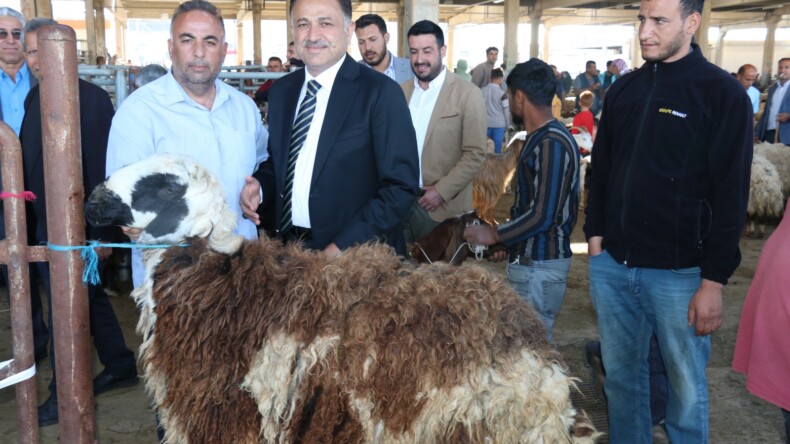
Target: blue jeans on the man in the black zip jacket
[(632, 305)]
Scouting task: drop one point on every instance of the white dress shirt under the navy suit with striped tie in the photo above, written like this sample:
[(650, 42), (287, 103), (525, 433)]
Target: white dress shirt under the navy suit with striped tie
[(303, 172)]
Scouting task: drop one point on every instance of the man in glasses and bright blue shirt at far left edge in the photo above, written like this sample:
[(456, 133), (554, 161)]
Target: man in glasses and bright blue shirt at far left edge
[(15, 79)]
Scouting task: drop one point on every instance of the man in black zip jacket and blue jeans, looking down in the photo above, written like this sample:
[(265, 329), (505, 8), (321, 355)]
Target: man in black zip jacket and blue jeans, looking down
[(665, 213)]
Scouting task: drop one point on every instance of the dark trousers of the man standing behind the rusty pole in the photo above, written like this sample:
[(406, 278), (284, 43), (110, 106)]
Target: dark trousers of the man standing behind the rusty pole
[(107, 335)]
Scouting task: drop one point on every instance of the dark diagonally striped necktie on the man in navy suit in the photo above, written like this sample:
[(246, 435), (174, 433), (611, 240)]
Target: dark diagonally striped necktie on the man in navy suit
[(298, 136)]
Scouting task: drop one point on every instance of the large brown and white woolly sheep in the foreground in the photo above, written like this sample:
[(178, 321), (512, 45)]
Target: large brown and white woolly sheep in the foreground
[(260, 342)]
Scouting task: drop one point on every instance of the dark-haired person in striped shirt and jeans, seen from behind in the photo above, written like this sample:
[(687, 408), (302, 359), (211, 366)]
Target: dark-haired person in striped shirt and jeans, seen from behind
[(547, 199)]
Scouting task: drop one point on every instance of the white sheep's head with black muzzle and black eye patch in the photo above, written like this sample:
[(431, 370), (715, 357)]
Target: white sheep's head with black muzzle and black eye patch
[(170, 198)]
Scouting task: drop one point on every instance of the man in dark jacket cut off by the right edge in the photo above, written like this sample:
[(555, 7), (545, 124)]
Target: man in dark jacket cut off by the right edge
[(776, 117)]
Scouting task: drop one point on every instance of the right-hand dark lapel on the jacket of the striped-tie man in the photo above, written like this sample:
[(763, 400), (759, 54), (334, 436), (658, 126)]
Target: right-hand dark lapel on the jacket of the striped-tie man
[(340, 100)]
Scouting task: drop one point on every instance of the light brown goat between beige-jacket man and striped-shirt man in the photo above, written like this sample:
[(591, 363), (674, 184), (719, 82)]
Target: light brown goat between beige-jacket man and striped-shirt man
[(493, 178)]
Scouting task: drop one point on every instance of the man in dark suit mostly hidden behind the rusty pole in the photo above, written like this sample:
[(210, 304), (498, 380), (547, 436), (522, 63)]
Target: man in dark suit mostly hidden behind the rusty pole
[(96, 111)]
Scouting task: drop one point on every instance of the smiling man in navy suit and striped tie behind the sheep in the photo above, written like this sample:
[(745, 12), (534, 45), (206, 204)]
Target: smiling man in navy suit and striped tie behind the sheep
[(354, 172)]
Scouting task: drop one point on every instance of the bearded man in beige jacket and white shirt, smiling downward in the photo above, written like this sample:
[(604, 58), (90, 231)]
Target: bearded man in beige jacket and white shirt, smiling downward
[(449, 118)]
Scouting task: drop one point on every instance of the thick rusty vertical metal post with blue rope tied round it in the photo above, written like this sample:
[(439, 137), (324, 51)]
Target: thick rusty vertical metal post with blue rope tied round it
[(65, 196)]
